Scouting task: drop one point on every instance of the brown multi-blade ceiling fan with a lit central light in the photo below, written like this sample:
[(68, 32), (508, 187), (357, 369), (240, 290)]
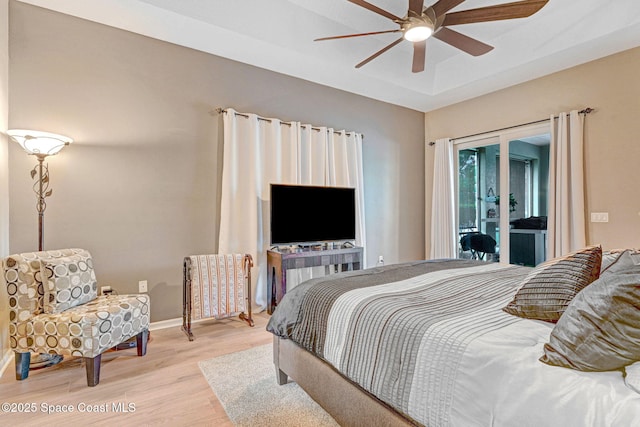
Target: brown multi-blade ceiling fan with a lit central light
[(420, 23)]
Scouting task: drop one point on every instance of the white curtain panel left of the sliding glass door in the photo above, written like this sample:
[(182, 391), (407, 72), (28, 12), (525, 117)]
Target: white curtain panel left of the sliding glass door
[(443, 217)]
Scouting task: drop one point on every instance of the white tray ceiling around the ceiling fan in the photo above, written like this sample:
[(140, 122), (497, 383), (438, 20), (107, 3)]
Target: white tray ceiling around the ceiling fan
[(278, 35)]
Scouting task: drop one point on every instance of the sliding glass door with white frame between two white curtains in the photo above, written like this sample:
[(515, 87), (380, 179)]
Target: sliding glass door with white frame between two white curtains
[(502, 180)]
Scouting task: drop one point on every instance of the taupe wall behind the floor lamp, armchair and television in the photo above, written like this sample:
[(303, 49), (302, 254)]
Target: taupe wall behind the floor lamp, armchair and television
[(140, 185)]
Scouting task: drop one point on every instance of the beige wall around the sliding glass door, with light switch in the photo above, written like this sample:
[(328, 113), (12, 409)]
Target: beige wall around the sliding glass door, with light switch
[(612, 166)]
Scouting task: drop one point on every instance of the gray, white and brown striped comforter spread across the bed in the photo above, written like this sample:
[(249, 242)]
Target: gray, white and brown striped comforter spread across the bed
[(401, 331)]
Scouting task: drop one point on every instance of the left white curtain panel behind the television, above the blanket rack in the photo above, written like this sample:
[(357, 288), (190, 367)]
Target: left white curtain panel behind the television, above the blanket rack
[(256, 152)]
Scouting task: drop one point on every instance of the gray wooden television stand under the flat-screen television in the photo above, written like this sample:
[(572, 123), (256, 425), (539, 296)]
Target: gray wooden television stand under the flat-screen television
[(281, 260)]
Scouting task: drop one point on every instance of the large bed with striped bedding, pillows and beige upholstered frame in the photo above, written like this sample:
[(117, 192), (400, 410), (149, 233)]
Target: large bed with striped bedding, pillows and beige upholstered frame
[(437, 343)]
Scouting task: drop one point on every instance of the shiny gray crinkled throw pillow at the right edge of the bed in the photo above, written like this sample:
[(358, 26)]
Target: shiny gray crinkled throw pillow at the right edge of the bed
[(600, 330)]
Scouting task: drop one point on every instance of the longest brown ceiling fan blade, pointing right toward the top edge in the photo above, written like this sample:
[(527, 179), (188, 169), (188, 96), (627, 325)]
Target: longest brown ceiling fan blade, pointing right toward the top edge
[(519, 9)]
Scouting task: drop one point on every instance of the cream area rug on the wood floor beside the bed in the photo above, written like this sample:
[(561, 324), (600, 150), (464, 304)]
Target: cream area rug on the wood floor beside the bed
[(245, 383)]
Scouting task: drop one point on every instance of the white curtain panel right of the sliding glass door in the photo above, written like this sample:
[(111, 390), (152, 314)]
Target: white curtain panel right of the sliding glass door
[(566, 222)]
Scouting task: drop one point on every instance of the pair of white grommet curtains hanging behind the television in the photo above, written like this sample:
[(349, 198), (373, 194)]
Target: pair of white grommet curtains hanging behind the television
[(259, 152)]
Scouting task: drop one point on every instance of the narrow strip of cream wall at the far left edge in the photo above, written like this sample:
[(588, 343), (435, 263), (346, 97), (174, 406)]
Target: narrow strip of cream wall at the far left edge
[(4, 172)]
